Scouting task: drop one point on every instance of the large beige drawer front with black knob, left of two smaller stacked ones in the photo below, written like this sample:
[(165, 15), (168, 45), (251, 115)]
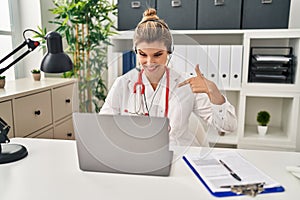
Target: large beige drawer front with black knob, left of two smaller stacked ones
[(32, 113)]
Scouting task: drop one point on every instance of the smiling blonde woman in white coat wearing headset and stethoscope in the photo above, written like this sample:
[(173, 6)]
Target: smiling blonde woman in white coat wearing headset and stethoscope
[(154, 89)]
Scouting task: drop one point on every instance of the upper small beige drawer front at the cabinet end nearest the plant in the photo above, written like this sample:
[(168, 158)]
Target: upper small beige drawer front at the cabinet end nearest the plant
[(62, 101)]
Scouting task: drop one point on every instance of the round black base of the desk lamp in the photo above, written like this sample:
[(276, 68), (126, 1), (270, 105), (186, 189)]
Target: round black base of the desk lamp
[(12, 152)]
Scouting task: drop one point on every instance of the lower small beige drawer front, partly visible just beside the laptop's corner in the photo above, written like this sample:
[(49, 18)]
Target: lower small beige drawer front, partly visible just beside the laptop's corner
[(64, 130)]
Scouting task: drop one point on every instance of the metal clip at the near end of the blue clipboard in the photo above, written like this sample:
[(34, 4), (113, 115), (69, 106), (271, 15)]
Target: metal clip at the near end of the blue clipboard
[(247, 189)]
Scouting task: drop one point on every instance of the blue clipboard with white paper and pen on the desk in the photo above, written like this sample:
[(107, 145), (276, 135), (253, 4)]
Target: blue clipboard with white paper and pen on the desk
[(264, 185)]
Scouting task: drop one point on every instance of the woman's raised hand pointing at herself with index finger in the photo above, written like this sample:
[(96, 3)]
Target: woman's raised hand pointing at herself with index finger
[(199, 84)]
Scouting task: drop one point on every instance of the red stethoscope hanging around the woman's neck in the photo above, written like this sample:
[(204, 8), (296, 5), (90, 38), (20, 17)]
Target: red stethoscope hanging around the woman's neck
[(139, 88)]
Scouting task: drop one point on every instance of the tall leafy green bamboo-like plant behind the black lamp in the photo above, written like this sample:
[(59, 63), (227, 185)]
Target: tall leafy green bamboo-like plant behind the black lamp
[(87, 26)]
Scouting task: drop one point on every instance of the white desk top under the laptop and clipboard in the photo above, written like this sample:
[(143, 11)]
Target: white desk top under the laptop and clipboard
[(51, 171)]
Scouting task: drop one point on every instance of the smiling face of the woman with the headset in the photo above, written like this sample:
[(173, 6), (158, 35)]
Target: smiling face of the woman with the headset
[(153, 58)]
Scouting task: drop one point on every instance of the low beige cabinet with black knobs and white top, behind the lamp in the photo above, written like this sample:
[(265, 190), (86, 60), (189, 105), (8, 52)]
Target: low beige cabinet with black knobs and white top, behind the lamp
[(41, 109)]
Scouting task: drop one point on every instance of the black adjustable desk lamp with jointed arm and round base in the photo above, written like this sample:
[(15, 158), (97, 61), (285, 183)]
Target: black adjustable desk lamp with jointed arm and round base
[(55, 61)]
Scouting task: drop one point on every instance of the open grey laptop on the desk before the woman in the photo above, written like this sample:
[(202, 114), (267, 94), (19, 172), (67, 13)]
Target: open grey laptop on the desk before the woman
[(123, 144)]
